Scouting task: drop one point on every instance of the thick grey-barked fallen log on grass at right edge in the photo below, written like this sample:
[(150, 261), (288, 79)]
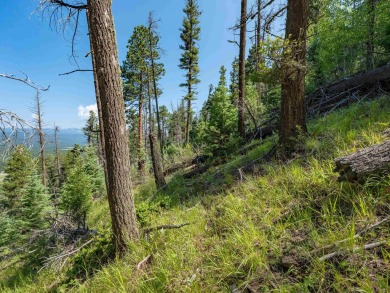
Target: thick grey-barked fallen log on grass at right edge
[(374, 160)]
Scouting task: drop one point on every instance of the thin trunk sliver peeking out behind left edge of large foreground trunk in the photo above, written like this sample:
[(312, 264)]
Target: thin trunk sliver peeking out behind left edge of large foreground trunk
[(101, 146)]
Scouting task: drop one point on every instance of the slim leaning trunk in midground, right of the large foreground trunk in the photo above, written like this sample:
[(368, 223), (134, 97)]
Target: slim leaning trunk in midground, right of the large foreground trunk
[(158, 169)]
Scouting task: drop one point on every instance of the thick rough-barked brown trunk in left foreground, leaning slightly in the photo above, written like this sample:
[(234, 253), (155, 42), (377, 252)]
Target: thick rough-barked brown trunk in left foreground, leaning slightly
[(120, 198)]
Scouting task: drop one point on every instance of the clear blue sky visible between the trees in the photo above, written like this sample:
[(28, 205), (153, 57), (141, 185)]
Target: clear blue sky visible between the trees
[(29, 45)]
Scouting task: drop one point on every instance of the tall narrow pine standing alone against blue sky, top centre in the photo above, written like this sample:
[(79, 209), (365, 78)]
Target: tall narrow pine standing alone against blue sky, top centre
[(189, 61)]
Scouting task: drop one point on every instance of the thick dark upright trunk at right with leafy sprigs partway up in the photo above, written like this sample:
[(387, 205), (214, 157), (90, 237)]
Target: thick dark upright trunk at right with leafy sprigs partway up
[(292, 122)]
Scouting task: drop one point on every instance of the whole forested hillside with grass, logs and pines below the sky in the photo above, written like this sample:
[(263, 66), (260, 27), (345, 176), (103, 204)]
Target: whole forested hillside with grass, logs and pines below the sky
[(279, 183)]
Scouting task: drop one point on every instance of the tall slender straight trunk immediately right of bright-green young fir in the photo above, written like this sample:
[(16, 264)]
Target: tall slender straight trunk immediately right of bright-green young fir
[(241, 70)]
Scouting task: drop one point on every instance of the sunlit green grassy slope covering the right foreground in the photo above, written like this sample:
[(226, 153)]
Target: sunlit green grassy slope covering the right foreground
[(260, 233)]
